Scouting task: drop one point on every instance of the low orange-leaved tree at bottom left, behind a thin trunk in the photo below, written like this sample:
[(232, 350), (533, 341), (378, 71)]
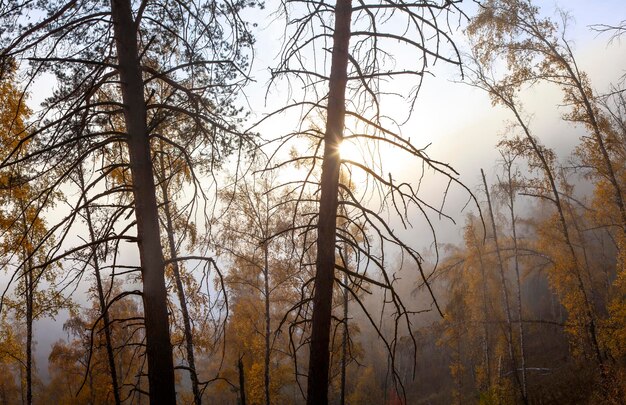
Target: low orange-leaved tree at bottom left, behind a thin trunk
[(79, 365)]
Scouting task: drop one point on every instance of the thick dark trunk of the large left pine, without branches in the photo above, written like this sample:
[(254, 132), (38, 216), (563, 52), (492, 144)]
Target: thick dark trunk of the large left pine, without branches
[(158, 345)]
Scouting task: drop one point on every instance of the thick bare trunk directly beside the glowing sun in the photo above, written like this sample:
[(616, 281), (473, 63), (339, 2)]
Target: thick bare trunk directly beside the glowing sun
[(317, 388)]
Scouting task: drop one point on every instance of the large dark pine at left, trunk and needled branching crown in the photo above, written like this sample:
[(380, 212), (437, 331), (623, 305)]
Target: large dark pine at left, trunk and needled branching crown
[(96, 48)]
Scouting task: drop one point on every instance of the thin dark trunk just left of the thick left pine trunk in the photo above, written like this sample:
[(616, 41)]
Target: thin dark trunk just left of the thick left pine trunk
[(101, 298)]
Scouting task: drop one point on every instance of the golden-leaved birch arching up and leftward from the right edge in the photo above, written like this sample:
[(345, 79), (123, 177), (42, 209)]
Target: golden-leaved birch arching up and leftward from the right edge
[(535, 50)]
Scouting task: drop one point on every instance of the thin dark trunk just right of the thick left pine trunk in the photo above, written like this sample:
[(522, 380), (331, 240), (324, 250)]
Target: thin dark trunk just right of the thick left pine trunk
[(169, 224)]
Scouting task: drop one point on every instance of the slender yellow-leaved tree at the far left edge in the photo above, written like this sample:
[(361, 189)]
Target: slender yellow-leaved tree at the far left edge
[(23, 228)]
